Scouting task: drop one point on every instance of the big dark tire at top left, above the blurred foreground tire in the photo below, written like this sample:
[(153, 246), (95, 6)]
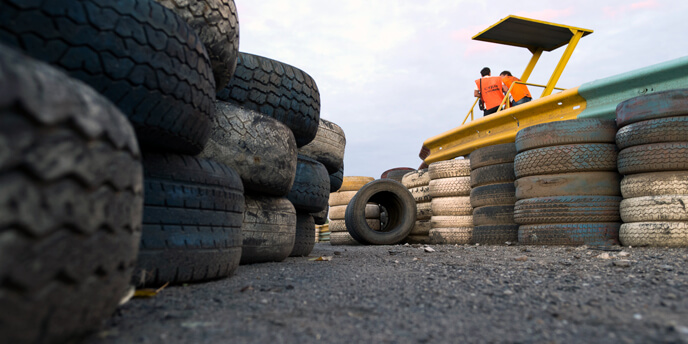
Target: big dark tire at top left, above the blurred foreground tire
[(167, 94)]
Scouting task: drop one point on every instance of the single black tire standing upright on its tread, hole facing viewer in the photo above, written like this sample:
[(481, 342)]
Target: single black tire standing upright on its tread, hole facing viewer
[(401, 211)]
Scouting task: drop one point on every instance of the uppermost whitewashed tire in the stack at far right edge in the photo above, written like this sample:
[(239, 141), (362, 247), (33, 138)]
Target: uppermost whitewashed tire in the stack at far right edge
[(655, 184)]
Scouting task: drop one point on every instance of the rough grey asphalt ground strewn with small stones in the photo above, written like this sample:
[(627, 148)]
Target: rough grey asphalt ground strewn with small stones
[(425, 294)]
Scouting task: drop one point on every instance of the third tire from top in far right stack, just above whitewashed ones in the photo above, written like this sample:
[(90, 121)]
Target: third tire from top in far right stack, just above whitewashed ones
[(655, 157)]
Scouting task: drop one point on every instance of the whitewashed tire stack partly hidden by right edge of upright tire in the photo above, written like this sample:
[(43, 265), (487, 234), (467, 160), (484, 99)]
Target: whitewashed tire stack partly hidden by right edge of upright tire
[(418, 183)]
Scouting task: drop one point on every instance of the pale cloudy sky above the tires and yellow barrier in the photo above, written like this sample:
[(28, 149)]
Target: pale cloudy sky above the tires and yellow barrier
[(395, 73)]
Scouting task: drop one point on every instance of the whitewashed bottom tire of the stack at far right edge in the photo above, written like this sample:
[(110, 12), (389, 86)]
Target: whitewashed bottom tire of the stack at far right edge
[(656, 234)]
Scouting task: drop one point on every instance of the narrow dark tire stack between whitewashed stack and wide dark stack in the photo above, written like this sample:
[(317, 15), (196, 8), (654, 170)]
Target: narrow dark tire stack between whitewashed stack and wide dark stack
[(493, 194)]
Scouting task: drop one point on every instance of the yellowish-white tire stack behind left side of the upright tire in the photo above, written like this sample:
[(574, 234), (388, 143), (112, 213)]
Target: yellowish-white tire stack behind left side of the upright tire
[(338, 203)]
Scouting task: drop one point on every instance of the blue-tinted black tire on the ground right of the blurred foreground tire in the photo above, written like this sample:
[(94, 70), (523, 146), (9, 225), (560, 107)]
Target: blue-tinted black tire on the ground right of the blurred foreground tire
[(192, 220)]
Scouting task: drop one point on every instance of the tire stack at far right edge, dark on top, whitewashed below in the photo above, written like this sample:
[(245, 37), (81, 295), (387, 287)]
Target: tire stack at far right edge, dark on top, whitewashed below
[(653, 157)]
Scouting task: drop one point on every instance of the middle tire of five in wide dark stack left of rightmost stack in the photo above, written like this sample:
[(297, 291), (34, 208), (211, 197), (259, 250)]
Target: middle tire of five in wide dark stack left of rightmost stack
[(569, 184)]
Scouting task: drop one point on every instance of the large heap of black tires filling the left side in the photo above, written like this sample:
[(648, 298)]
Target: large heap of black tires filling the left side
[(219, 179)]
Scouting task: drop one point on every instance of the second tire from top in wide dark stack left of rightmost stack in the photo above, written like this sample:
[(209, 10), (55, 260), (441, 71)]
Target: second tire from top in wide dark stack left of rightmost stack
[(565, 159)]
